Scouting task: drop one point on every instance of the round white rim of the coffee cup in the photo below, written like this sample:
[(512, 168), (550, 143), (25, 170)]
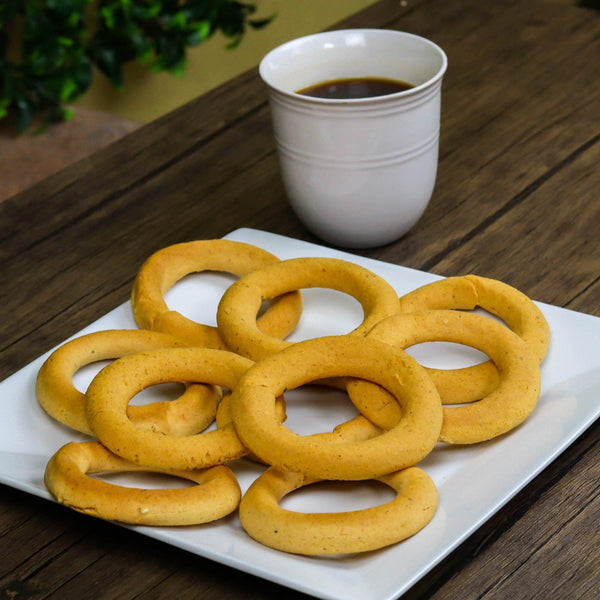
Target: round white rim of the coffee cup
[(367, 100)]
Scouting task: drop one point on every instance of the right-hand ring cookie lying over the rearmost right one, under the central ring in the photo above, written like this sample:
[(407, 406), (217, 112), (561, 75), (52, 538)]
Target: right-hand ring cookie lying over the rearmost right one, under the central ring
[(500, 411)]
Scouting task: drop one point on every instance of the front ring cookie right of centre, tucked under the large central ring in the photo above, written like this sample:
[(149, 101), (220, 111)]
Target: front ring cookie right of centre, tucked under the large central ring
[(341, 532)]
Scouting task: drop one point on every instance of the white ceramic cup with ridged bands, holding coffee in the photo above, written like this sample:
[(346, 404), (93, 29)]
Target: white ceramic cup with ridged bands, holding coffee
[(358, 173)]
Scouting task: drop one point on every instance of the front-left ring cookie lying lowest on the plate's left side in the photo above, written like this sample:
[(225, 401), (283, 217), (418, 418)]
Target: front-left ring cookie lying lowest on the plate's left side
[(216, 494)]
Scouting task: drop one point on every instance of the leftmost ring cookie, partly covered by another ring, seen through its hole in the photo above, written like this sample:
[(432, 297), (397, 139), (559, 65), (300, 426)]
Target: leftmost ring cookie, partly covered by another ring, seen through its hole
[(192, 412)]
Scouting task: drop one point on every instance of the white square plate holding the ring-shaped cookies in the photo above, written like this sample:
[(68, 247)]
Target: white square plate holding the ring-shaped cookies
[(492, 472)]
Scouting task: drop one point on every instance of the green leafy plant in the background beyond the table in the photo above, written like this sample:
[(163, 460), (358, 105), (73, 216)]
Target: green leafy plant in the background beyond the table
[(49, 48)]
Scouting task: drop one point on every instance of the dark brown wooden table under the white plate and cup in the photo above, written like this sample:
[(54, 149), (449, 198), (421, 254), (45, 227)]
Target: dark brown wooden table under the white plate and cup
[(516, 199)]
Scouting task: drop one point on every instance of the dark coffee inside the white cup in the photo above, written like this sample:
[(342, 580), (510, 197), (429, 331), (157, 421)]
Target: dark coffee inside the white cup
[(359, 87)]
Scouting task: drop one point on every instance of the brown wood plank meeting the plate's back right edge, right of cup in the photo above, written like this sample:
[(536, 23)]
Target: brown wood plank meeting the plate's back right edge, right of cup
[(553, 258)]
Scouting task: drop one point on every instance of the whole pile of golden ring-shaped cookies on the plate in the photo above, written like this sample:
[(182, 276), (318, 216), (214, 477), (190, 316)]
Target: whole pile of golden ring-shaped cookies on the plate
[(235, 376)]
